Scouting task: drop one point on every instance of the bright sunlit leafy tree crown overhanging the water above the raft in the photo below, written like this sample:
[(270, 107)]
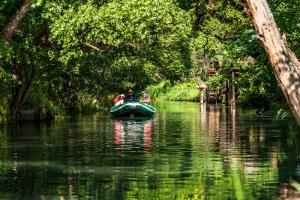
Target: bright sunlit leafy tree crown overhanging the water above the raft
[(133, 39)]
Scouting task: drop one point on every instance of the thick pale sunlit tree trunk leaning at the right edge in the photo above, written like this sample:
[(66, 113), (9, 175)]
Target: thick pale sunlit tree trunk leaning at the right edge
[(284, 62)]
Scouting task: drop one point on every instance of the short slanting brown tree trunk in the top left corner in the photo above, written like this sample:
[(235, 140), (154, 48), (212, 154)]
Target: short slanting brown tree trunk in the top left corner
[(10, 28)]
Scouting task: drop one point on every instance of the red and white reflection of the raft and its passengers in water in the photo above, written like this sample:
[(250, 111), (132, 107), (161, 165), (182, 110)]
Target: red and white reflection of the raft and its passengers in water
[(130, 133)]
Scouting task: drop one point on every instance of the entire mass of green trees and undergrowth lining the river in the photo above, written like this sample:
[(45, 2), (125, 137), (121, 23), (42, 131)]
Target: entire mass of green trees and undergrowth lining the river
[(71, 56)]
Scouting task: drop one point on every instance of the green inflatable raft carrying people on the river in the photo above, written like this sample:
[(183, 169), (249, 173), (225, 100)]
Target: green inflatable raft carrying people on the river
[(133, 109)]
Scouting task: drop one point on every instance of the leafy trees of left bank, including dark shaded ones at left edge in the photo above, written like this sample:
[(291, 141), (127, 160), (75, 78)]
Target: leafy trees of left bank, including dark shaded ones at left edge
[(55, 54)]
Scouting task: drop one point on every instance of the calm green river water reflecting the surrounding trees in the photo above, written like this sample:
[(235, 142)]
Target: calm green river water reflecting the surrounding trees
[(185, 152)]
